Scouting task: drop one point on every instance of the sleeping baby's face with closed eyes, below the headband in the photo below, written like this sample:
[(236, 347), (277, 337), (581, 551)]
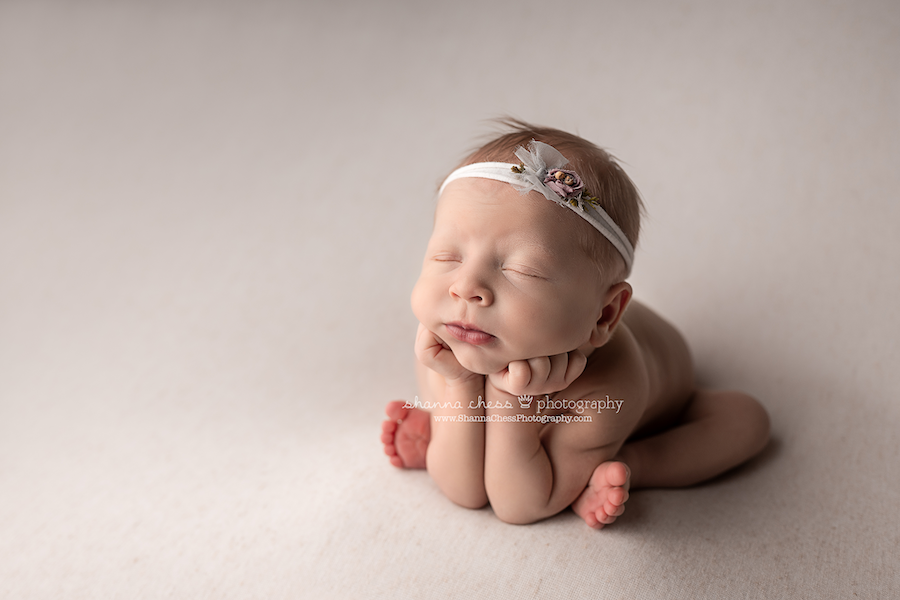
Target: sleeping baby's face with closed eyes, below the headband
[(504, 278)]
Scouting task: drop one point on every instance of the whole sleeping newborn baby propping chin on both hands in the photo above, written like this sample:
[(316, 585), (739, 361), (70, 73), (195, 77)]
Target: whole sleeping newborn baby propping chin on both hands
[(543, 385)]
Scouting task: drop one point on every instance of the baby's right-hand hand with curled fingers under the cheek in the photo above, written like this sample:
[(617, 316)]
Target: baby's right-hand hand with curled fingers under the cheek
[(543, 375)]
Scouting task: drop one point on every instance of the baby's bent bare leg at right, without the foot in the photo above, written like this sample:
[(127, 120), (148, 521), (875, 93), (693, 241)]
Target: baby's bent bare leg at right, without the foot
[(718, 431)]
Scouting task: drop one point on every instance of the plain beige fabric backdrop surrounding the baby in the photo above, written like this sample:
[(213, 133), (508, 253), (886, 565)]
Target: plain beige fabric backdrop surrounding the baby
[(211, 217)]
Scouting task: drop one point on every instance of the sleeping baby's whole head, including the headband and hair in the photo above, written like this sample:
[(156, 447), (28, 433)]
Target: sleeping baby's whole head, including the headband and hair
[(510, 275)]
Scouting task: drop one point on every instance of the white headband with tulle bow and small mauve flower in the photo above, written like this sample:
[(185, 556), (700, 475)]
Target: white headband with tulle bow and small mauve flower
[(541, 171)]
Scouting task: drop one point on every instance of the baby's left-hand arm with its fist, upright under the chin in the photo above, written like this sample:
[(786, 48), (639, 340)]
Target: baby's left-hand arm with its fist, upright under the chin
[(455, 457)]
